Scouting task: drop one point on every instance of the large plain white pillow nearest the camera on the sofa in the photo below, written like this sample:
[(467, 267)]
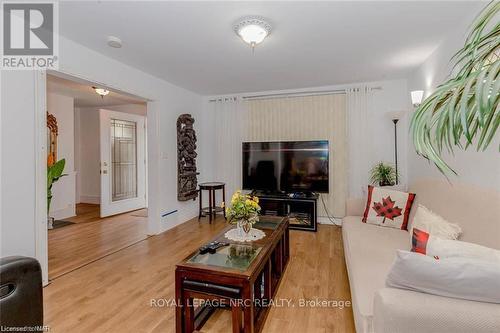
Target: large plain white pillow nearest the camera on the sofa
[(464, 278)]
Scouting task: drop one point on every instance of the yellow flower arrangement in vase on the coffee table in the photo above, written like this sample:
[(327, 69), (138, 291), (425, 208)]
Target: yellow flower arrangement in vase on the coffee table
[(244, 211)]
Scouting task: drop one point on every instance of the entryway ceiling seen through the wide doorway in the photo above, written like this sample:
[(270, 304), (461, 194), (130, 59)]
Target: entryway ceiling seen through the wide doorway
[(85, 96)]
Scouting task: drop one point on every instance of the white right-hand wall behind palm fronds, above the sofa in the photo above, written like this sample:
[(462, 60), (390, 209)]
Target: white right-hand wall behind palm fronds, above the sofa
[(477, 168)]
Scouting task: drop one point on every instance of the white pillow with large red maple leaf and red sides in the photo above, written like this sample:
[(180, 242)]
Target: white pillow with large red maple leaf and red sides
[(388, 208)]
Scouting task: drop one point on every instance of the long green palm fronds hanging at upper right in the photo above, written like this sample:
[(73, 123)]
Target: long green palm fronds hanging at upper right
[(464, 110)]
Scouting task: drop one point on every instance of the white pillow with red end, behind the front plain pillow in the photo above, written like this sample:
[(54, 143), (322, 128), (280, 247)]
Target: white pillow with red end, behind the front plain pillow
[(436, 247)]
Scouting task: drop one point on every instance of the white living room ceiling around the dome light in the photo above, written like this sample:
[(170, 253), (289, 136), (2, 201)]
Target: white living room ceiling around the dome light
[(192, 44)]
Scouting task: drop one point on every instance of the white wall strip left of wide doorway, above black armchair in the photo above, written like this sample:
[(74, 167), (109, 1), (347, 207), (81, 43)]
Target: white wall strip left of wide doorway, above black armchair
[(18, 163)]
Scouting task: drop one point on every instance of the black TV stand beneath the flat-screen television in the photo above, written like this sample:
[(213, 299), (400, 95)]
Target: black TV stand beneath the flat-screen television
[(300, 209)]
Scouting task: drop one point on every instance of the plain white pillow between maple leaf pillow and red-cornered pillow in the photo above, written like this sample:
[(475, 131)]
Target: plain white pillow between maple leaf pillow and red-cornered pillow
[(433, 224)]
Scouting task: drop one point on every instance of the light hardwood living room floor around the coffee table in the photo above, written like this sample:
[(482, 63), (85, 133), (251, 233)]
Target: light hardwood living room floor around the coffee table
[(114, 294)]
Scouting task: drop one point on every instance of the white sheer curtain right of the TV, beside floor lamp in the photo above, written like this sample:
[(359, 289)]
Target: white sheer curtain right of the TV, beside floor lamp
[(359, 138)]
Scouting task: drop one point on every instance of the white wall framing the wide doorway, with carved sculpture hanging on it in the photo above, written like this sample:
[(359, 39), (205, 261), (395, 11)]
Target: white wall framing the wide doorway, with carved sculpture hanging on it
[(18, 99)]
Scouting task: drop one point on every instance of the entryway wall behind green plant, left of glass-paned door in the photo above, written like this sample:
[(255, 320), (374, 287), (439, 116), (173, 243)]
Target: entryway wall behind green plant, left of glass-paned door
[(63, 191)]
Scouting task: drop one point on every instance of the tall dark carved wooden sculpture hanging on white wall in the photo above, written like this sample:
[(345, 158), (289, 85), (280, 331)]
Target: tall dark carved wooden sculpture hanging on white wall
[(187, 182)]
